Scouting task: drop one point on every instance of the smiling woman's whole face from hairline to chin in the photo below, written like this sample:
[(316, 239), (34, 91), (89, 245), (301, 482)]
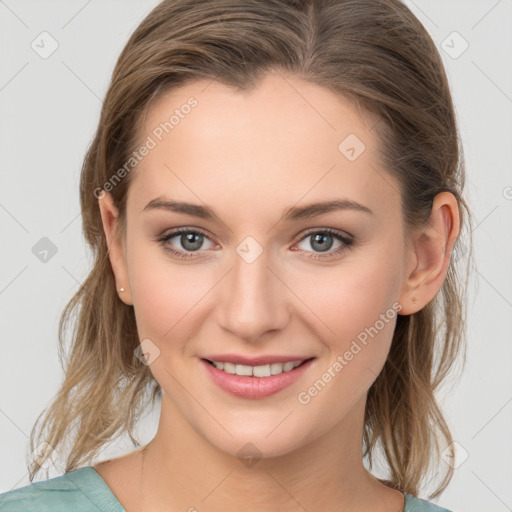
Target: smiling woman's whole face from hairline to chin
[(251, 279)]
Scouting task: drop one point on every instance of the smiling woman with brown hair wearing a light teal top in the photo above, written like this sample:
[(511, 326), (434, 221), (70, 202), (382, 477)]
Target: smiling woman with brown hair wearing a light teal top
[(273, 196)]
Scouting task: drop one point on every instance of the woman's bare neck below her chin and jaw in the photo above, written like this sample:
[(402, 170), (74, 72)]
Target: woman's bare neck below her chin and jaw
[(182, 470)]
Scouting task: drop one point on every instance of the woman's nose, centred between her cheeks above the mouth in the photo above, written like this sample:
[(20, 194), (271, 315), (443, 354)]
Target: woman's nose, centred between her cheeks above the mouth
[(254, 300)]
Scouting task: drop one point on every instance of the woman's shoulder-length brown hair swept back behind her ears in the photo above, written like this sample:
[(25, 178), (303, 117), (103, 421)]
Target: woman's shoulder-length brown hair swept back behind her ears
[(374, 52)]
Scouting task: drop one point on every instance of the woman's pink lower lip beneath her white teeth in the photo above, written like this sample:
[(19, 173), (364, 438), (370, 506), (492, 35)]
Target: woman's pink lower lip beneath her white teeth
[(255, 387)]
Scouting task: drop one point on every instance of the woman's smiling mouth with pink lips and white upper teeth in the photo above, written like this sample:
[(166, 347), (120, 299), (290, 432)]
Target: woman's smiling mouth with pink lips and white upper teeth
[(255, 382)]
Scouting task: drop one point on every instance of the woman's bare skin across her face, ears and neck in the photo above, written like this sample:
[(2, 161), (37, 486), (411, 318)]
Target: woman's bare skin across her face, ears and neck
[(249, 156)]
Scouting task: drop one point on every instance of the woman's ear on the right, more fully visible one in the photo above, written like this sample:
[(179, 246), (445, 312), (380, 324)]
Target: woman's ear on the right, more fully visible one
[(429, 254)]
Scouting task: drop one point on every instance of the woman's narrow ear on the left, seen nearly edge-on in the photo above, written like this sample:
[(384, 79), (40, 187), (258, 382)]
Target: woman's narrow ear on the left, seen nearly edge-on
[(116, 252)]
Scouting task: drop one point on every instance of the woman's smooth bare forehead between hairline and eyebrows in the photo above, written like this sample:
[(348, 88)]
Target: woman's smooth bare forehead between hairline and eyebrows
[(286, 141)]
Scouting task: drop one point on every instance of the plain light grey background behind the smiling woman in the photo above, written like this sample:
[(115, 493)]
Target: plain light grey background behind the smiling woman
[(49, 111)]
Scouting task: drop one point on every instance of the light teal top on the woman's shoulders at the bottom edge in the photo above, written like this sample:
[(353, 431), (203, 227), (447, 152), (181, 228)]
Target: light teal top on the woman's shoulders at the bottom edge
[(83, 490)]
